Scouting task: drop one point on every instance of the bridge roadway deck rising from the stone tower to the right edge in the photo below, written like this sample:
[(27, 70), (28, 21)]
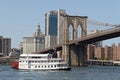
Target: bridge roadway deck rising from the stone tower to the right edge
[(103, 35)]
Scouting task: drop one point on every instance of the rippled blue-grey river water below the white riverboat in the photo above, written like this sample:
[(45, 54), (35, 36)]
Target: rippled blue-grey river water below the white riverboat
[(76, 73)]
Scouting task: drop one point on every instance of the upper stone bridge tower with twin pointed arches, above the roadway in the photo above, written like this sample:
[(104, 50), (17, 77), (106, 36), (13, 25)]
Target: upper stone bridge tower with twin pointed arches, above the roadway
[(77, 22)]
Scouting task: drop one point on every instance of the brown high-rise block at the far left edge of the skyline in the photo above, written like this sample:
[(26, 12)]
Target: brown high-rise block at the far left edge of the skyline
[(5, 46)]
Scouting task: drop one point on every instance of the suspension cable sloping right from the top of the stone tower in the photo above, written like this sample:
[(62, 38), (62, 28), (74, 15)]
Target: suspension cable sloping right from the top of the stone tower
[(94, 22)]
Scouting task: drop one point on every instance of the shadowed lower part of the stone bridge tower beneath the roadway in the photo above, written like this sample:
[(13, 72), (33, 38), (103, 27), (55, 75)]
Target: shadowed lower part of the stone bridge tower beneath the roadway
[(78, 55)]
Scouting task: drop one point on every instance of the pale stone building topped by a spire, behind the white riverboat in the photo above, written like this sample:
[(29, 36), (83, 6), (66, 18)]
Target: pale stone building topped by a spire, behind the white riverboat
[(34, 43)]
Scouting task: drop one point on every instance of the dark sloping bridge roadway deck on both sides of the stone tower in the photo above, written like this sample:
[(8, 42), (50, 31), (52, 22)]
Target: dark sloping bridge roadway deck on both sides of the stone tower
[(91, 38)]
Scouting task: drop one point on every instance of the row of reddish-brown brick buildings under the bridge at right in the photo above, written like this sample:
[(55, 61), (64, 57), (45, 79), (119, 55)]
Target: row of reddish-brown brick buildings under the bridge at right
[(104, 53)]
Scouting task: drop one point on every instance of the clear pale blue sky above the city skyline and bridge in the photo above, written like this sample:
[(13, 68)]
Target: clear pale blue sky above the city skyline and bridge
[(19, 18)]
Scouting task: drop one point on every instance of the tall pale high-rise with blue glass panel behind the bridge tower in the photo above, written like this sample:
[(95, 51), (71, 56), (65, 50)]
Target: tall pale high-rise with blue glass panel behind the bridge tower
[(54, 27)]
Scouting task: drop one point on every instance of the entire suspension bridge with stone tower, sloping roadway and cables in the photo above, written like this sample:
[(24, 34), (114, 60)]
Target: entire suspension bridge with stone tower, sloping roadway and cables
[(73, 47)]
